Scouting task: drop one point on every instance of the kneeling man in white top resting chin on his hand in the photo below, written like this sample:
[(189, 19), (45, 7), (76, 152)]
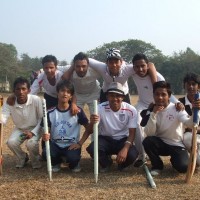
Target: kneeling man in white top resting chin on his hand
[(163, 125)]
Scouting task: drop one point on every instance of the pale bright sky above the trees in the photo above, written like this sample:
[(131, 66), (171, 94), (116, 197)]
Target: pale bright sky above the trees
[(65, 27)]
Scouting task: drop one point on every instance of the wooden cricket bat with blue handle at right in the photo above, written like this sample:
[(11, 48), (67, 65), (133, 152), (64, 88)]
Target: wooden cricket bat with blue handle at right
[(193, 153)]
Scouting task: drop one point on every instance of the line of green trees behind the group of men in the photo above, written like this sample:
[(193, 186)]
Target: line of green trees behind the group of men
[(173, 68)]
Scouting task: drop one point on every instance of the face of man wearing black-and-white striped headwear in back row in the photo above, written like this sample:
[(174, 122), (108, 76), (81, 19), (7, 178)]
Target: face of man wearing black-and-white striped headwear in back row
[(114, 66)]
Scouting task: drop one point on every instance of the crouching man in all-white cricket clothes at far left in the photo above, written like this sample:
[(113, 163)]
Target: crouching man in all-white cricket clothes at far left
[(26, 114)]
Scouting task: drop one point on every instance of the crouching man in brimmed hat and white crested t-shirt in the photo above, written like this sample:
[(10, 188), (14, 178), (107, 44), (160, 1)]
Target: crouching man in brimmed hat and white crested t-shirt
[(117, 126)]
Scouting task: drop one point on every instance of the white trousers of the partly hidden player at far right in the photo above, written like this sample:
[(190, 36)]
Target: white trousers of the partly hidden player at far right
[(187, 140)]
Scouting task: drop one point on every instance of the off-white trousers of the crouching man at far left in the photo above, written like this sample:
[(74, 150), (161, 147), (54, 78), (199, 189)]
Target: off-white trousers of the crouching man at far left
[(32, 146)]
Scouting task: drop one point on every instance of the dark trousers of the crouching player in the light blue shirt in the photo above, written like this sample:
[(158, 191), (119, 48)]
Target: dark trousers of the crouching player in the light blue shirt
[(72, 156)]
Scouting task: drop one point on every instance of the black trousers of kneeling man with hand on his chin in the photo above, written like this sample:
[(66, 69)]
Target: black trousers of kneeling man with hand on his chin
[(155, 147)]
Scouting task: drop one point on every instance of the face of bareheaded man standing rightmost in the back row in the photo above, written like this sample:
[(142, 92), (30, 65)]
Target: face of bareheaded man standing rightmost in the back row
[(140, 67)]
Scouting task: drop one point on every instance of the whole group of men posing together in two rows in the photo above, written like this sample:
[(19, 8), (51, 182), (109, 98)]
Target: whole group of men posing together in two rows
[(129, 132)]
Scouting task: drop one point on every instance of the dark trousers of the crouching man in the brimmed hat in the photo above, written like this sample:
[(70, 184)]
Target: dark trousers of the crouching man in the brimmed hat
[(107, 147)]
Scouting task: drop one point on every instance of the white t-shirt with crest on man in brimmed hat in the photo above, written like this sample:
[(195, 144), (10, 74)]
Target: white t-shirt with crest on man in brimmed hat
[(116, 124)]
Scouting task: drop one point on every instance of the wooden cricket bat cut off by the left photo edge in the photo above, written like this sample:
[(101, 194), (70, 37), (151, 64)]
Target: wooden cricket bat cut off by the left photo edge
[(1, 138)]
